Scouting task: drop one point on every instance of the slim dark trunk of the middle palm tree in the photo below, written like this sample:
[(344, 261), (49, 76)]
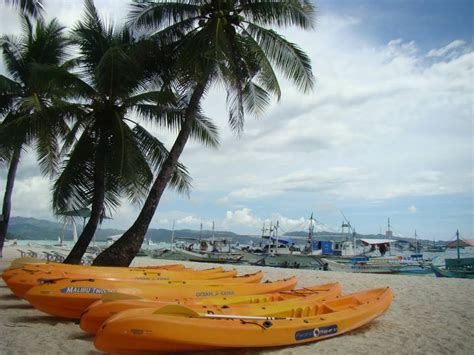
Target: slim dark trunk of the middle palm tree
[(79, 249)]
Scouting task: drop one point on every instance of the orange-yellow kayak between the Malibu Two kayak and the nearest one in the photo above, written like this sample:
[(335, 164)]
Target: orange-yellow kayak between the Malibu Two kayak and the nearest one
[(275, 304)]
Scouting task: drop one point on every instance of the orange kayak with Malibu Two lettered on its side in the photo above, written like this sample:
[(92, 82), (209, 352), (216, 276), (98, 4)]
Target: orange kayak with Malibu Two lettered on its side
[(70, 298)]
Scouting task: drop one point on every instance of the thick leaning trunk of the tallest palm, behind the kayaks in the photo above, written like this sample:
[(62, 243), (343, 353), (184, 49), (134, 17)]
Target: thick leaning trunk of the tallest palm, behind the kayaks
[(122, 252)]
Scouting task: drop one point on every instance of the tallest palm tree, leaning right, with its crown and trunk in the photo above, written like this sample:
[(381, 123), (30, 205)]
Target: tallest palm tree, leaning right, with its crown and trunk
[(225, 41)]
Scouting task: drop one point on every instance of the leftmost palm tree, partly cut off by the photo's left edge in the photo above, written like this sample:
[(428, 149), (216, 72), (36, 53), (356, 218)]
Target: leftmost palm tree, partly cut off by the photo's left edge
[(25, 103)]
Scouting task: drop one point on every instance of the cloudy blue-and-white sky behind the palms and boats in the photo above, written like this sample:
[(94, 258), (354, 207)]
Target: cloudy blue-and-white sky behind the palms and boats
[(387, 131)]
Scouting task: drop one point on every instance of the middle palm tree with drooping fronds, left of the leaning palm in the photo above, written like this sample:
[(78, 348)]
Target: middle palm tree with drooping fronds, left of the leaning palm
[(109, 154)]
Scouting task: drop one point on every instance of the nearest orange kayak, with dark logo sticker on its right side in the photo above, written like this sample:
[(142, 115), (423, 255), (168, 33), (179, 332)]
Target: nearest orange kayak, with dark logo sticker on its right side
[(177, 328)]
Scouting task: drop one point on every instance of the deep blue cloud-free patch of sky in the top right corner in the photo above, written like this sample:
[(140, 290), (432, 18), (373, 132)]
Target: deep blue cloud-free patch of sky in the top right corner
[(430, 23)]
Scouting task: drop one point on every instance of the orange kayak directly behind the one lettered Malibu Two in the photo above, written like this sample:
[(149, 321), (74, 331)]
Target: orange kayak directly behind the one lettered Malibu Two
[(21, 283)]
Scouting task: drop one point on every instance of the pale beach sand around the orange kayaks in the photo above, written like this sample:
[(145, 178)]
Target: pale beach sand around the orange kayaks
[(427, 316)]
